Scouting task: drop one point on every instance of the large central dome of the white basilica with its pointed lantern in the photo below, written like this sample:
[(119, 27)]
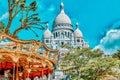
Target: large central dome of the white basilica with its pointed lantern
[(62, 18)]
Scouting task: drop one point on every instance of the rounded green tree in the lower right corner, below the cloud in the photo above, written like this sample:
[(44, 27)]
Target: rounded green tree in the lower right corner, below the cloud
[(99, 67)]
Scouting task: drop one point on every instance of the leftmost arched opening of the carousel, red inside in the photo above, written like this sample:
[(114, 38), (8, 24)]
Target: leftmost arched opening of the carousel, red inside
[(6, 67)]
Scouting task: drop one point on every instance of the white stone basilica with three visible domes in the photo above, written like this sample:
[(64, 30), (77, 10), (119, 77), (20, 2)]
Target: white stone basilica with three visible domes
[(63, 33)]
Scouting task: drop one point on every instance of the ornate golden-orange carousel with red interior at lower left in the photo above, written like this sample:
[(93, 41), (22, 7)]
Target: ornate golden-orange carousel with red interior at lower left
[(26, 59)]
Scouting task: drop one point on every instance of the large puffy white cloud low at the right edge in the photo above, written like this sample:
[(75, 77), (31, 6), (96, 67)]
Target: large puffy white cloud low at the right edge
[(111, 42)]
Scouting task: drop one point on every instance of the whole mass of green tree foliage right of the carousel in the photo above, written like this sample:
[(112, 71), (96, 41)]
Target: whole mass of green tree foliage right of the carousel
[(92, 65)]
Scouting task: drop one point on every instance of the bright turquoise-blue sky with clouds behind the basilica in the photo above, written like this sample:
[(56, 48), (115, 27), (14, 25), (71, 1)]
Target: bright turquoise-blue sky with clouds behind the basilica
[(98, 19)]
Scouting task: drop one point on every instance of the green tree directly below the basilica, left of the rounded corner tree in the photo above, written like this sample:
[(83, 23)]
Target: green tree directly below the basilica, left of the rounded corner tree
[(78, 57)]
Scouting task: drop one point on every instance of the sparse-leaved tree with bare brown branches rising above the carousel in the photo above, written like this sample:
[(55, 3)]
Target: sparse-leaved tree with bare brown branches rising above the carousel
[(28, 20)]
